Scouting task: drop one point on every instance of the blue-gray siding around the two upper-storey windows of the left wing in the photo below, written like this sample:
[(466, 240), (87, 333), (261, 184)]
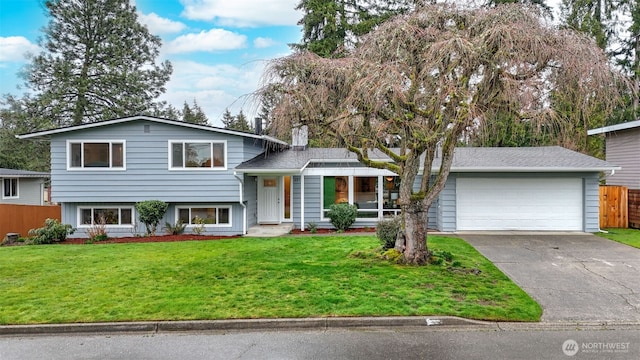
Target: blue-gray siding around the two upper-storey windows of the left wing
[(147, 175)]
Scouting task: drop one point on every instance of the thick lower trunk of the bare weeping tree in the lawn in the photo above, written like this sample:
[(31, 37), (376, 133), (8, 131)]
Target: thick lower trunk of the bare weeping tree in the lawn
[(412, 241)]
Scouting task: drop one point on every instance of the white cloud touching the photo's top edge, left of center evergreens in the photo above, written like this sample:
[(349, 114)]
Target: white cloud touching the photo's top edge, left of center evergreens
[(243, 13)]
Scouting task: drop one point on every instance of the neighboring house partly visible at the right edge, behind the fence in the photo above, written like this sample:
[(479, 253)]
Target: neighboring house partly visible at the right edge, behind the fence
[(622, 147)]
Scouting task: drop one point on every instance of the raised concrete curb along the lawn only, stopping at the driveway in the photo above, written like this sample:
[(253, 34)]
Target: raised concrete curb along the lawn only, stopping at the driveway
[(241, 324)]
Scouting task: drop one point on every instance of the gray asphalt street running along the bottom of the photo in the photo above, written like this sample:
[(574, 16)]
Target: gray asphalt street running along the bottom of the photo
[(502, 342)]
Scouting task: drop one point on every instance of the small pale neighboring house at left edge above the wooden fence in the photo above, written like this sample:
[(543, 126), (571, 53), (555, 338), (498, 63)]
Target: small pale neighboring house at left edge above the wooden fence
[(22, 187)]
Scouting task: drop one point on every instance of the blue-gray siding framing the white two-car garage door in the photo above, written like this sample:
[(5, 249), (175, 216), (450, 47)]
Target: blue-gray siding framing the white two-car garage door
[(447, 209)]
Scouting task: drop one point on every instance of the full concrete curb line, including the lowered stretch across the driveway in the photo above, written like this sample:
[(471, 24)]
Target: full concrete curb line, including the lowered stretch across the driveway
[(413, 322)]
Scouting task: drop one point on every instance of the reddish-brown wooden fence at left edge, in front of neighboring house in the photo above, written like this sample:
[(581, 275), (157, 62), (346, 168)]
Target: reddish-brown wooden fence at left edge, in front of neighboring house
[(21, 218)]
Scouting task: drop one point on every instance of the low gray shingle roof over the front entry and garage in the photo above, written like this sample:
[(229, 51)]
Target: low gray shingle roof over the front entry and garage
[(466, 159)]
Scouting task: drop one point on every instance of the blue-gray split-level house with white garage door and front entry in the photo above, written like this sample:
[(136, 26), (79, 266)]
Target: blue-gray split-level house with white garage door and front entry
[(234, 180)]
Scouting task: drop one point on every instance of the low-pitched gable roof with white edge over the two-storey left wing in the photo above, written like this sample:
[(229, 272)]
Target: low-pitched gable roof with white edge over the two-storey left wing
[(46, 133)]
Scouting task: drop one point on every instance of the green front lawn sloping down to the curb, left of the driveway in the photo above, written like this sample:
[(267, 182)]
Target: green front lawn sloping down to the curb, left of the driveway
[(247, 278)]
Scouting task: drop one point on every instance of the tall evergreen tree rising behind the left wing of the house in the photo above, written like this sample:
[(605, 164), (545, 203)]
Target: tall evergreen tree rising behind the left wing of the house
[(98, 63)]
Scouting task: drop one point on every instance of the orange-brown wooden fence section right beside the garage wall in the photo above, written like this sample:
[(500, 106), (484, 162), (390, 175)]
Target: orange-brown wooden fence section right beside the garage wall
[(614, 204)]
